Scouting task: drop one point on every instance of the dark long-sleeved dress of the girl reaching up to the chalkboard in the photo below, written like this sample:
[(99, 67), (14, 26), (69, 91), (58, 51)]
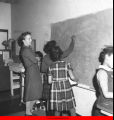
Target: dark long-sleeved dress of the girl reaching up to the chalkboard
[(45, 66)]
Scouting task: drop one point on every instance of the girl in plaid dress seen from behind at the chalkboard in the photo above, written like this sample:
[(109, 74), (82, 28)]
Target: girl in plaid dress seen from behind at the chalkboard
[(62, 97)]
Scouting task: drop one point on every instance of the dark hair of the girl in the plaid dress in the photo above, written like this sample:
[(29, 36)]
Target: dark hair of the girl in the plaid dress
[(56, 53)]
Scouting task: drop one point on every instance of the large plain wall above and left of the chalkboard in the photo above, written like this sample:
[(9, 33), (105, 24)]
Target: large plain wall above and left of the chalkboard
[(37, 15)]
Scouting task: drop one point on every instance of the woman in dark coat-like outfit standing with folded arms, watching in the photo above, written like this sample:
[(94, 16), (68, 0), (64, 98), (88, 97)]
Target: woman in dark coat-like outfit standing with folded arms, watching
[(33, 81)]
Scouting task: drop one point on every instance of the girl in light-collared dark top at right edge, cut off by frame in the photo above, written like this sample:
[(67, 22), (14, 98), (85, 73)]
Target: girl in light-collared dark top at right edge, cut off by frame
[(104, 77)]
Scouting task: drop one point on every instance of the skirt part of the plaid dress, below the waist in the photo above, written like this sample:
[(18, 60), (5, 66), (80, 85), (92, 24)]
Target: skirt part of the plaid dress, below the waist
[(62, 97)]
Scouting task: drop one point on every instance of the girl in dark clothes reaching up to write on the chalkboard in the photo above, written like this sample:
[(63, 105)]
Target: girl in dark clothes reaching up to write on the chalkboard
[(47, 62)]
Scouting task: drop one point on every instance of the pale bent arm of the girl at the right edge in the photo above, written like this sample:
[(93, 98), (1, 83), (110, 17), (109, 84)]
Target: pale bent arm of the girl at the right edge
[(103, 80)]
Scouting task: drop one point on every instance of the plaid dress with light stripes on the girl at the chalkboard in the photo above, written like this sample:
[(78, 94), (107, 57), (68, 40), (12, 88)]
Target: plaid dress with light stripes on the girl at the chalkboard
[(62, 97)]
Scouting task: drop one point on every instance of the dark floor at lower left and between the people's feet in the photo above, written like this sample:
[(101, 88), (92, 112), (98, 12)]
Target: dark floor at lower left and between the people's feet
[(10, 106)]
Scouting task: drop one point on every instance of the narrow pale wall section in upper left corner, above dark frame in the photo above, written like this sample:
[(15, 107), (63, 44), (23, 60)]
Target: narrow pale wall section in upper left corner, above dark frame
[(5, 17)]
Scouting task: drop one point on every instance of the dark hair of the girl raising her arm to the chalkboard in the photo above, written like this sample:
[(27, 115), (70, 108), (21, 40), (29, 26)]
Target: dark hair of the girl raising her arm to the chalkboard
[(48, 46)]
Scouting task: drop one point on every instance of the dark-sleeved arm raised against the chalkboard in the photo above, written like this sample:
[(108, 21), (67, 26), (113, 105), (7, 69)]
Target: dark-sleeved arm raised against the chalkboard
[(67, 52)]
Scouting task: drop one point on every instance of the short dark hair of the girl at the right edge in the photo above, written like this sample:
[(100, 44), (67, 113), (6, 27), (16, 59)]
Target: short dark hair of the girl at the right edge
[(106, 51)]
